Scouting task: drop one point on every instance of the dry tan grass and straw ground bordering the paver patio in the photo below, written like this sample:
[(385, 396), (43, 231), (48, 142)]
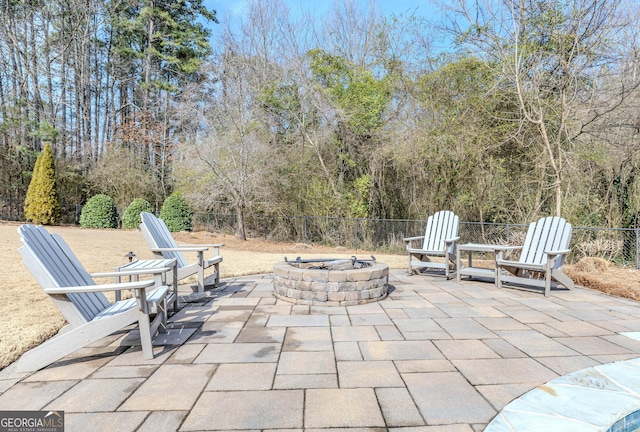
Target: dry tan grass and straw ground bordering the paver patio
[(28, 317)]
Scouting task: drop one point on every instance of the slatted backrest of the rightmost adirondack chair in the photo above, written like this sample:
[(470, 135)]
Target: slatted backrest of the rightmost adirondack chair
[(550, 233)]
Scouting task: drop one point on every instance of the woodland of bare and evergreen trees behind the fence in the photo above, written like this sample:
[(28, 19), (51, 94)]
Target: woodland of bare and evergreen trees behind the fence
[(499, 110)]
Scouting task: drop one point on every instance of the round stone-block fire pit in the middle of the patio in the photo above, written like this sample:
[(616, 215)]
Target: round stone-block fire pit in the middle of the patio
[(330, 282)]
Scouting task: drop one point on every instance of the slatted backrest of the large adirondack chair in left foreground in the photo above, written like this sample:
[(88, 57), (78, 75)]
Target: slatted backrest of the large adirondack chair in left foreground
[(53, 264)]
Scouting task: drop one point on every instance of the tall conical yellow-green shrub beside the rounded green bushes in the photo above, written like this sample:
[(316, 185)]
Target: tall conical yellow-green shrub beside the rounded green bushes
[(42, 203)]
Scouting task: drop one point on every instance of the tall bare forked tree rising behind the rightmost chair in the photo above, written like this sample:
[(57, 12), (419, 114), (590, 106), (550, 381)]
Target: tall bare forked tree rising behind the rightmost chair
[(550, 54)]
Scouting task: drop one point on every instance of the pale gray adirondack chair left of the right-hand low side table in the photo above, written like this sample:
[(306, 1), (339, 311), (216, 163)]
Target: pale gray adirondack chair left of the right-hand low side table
[(439, 240)]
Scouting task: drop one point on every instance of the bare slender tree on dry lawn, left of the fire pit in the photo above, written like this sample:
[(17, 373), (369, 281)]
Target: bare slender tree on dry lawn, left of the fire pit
[(233, 154)]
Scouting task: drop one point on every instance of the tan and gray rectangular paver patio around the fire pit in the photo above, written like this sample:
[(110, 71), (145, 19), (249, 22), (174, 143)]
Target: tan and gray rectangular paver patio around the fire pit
[(435, 355)]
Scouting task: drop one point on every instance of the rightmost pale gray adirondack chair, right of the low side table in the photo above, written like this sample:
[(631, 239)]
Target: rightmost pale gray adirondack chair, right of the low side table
[(541, 258)]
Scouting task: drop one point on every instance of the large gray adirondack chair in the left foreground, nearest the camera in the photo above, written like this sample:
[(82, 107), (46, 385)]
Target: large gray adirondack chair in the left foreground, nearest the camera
[(89, 314)]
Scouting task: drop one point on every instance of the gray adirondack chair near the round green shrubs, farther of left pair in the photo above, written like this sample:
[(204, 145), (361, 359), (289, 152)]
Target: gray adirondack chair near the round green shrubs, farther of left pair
[(162, 244)]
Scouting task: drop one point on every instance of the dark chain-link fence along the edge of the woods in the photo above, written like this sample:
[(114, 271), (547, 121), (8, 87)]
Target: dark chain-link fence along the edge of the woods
[(617, 245)]
